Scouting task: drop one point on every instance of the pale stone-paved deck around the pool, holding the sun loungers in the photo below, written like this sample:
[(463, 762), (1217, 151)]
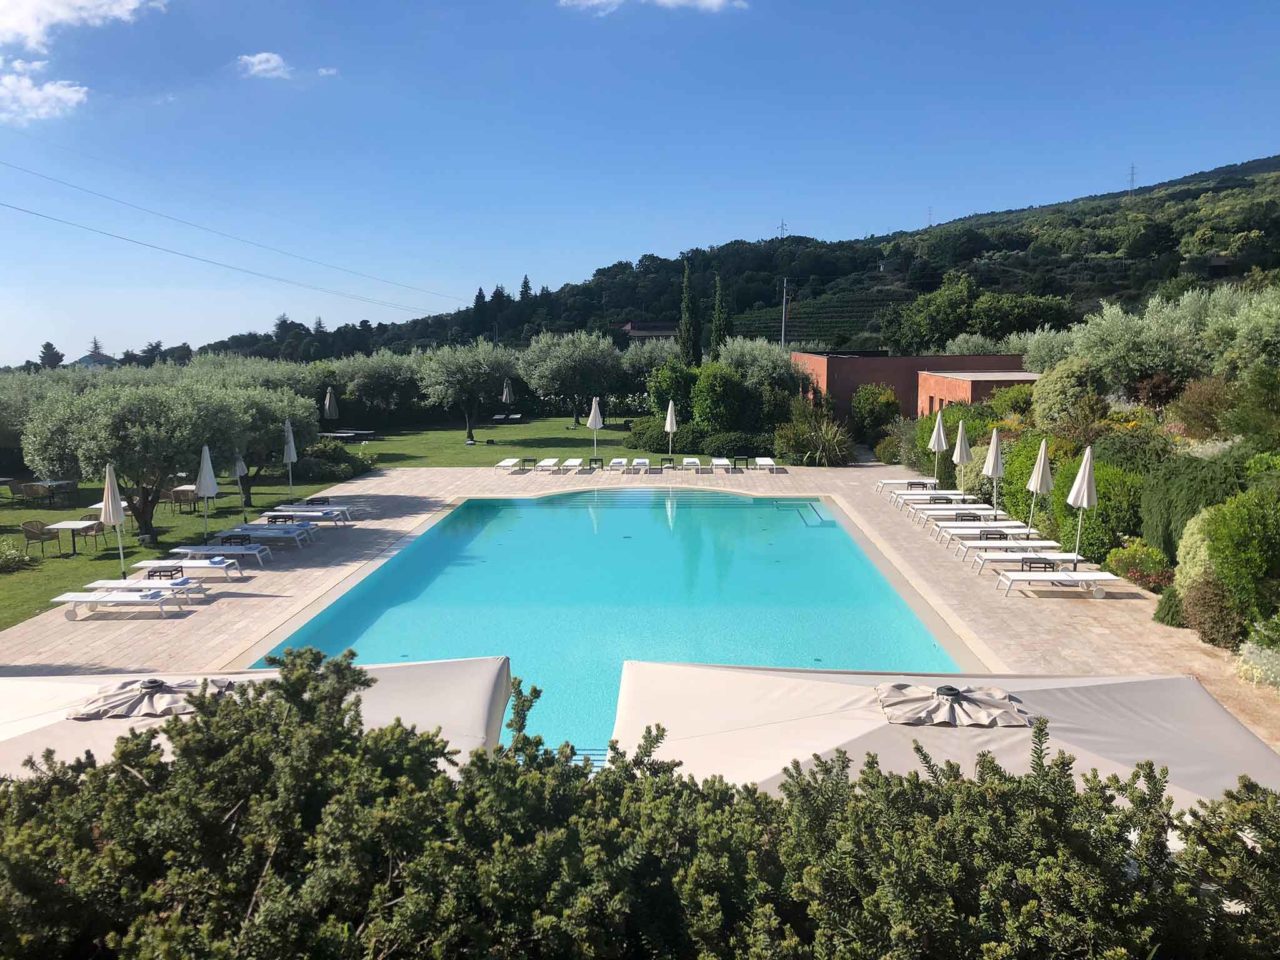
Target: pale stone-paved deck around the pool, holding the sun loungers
[(1050, 633)]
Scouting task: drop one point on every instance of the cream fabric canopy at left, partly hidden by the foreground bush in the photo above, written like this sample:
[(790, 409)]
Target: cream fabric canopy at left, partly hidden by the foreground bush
[(465, 700)]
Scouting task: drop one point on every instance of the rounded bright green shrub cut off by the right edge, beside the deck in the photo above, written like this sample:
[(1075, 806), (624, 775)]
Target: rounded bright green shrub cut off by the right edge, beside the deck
[(1245, 551)]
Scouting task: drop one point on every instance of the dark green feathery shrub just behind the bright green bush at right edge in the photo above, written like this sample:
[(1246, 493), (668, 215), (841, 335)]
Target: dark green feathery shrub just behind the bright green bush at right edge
[(1181, 488)]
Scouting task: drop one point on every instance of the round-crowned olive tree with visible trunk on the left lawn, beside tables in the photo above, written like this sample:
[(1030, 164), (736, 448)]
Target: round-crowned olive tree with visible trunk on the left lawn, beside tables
[(148, 432)]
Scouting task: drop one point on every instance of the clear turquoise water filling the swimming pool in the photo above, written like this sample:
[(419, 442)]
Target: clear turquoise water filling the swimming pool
[(570, 587)]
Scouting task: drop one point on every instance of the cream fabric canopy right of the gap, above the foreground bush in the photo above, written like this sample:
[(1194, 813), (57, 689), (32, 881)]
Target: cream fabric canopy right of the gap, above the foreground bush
[(748, 724)]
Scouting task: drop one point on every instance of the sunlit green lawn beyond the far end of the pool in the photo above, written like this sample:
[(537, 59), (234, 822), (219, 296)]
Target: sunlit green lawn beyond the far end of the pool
[(554, 437)]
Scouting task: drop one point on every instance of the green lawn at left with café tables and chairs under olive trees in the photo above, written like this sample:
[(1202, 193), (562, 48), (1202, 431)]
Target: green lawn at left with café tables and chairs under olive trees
[(28, 593)]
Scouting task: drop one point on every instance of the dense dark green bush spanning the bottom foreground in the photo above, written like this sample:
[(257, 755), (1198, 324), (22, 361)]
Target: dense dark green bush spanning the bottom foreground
[(277, 828)]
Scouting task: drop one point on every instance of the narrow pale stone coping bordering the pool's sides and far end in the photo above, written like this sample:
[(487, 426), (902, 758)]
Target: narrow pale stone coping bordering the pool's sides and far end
[(949, 630)]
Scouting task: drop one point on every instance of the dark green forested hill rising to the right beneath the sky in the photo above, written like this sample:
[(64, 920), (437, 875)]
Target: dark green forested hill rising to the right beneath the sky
[(1203, 228)]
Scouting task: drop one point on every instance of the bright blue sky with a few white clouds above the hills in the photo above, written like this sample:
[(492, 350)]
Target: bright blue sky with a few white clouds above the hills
[(454, 145)]
